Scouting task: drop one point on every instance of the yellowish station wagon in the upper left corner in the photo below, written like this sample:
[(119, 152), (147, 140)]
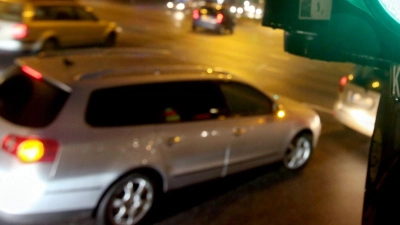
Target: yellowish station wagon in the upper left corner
[(36, 25)]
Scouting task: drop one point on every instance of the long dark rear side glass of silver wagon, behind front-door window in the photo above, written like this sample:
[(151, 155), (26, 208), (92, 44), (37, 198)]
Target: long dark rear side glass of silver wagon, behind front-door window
[(155, 103)]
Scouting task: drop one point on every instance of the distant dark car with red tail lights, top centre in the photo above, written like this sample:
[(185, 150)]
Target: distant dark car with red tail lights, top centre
[(214, 17)]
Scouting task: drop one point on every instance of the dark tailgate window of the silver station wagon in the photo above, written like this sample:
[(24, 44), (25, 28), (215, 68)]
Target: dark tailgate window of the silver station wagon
[(27, 101)]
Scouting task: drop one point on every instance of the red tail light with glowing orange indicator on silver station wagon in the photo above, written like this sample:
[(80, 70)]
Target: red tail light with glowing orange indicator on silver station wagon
[(30, 150)]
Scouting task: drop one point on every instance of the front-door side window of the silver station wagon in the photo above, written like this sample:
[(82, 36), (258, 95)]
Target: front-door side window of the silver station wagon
[(244, 100)]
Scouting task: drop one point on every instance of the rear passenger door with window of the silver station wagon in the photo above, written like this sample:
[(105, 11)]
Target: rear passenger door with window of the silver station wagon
[(195, 133)]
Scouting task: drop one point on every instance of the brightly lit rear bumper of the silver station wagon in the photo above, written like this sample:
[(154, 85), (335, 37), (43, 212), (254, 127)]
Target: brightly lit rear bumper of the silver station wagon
[(35, 203)]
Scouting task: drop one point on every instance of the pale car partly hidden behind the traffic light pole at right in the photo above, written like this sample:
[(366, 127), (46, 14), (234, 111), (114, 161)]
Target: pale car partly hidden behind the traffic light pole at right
[(358, 98)]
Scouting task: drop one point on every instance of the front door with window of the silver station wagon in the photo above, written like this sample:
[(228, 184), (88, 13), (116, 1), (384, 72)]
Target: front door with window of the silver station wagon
[(257, 134)]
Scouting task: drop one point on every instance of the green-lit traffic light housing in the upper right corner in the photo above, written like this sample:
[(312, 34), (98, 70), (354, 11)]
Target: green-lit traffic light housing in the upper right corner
[(359, 31)]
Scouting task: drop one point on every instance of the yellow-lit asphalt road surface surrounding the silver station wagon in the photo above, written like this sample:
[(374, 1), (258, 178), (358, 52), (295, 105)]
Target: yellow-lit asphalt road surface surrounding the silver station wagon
[(329, 190)]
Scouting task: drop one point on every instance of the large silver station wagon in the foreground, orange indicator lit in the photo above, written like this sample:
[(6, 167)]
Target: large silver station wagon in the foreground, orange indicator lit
[(110, 130)]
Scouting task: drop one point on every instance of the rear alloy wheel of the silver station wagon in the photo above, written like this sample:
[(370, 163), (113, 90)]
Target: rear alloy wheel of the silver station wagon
[(128, 202)]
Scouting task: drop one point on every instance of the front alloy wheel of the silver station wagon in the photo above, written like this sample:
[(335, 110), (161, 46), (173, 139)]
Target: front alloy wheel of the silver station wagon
[(299, 152)]
